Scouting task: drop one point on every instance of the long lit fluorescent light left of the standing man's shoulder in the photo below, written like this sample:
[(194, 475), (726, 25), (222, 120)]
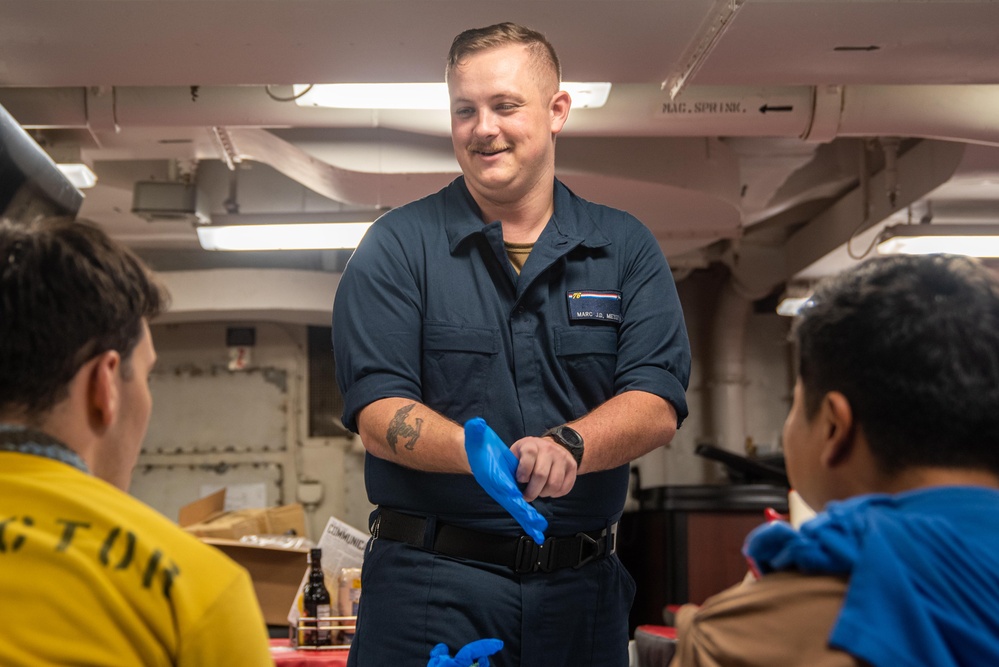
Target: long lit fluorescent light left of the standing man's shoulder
[(286, 236)]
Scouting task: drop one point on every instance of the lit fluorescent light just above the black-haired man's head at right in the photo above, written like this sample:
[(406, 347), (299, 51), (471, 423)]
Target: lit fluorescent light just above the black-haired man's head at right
[(975, 240)]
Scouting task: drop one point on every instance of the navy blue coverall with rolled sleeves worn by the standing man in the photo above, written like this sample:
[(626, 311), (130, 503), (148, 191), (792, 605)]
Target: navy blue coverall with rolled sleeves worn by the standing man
[(430, 308)]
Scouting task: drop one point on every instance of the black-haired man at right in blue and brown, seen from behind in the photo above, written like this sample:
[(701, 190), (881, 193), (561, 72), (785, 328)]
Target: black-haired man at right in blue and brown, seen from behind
[(894, 434)]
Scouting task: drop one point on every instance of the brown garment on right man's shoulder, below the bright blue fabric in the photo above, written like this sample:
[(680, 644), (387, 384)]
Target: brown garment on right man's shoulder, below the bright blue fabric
[(785, 618)]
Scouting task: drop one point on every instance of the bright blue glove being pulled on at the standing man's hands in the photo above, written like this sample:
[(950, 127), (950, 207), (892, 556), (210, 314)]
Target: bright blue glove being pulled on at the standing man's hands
[(495, 467)]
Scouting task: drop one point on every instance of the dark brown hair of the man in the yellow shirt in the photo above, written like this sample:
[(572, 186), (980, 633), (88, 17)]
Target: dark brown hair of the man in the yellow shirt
[(67, 293)]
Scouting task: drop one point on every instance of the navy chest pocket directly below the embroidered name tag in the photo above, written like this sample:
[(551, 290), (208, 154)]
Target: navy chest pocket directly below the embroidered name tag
[(588, 357)]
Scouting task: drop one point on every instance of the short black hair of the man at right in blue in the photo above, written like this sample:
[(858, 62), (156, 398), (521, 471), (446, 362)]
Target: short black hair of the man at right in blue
[(913, 344)]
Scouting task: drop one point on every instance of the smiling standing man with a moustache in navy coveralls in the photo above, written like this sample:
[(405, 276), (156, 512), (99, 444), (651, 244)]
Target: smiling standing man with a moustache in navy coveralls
[(508, 297)]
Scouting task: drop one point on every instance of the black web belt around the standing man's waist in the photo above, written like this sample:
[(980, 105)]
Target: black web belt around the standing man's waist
[(521, 554)]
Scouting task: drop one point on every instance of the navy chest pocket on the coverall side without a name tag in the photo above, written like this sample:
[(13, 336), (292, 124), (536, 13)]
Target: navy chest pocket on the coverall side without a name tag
[(458, 363)]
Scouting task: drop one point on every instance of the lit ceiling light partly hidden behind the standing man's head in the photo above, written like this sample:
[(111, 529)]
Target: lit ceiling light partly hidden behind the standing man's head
[(418, 95)]
